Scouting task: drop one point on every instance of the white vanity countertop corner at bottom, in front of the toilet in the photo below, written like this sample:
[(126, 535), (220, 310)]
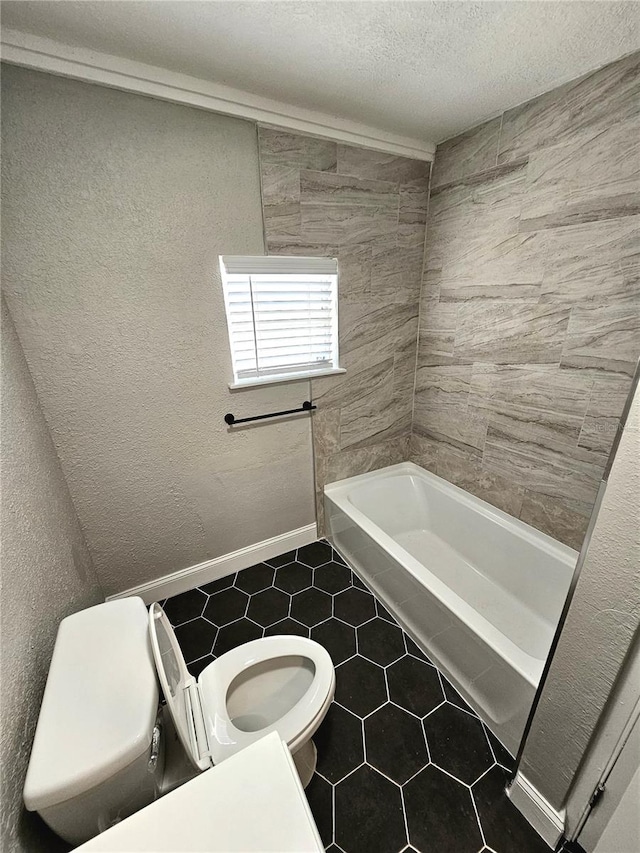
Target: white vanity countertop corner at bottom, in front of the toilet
[(251, 803)]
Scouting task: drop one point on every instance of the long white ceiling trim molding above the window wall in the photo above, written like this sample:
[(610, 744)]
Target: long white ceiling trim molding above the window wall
[(103, 69)]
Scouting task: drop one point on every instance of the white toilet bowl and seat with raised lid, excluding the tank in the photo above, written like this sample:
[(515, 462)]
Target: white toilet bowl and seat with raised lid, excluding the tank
[(200, 708)]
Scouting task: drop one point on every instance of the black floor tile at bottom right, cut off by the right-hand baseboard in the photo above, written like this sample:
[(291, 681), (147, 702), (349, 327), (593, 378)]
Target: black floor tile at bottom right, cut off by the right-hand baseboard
[(505, 828)]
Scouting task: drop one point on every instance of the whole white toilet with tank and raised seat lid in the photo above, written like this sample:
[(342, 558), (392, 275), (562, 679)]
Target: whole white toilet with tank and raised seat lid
[(103, 747)]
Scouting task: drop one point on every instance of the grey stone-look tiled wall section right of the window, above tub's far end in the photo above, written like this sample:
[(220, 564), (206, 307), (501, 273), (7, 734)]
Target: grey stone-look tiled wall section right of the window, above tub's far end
[(368, 209)]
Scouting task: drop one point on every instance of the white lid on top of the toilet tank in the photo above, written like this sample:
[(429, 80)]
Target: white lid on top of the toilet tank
[(99, 705)]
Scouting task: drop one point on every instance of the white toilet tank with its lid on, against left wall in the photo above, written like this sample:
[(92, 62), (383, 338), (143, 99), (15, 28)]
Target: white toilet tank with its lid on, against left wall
[(95, 759)]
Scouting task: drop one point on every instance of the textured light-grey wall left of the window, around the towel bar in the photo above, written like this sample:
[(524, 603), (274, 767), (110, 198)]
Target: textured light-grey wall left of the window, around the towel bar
[(116, 208)]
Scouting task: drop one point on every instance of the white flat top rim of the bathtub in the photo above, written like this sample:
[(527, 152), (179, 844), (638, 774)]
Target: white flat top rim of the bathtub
[(526, 665)]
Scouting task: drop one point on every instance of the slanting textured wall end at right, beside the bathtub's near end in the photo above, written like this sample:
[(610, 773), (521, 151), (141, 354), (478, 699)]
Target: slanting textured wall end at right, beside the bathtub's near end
[(600, 626)]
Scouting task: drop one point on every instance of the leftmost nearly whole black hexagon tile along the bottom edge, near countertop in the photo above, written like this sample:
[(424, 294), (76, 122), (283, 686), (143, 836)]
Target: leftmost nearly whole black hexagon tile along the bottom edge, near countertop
[(369, 814)]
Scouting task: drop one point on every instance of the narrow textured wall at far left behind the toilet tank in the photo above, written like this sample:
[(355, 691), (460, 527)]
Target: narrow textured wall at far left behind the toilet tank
[(46, 575)]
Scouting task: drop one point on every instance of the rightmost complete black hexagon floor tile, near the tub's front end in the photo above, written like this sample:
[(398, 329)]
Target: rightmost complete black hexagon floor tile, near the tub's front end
[(457, 743)]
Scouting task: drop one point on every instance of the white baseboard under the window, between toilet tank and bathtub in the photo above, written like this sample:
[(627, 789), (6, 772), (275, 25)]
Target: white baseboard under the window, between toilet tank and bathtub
[(211, 570)]
